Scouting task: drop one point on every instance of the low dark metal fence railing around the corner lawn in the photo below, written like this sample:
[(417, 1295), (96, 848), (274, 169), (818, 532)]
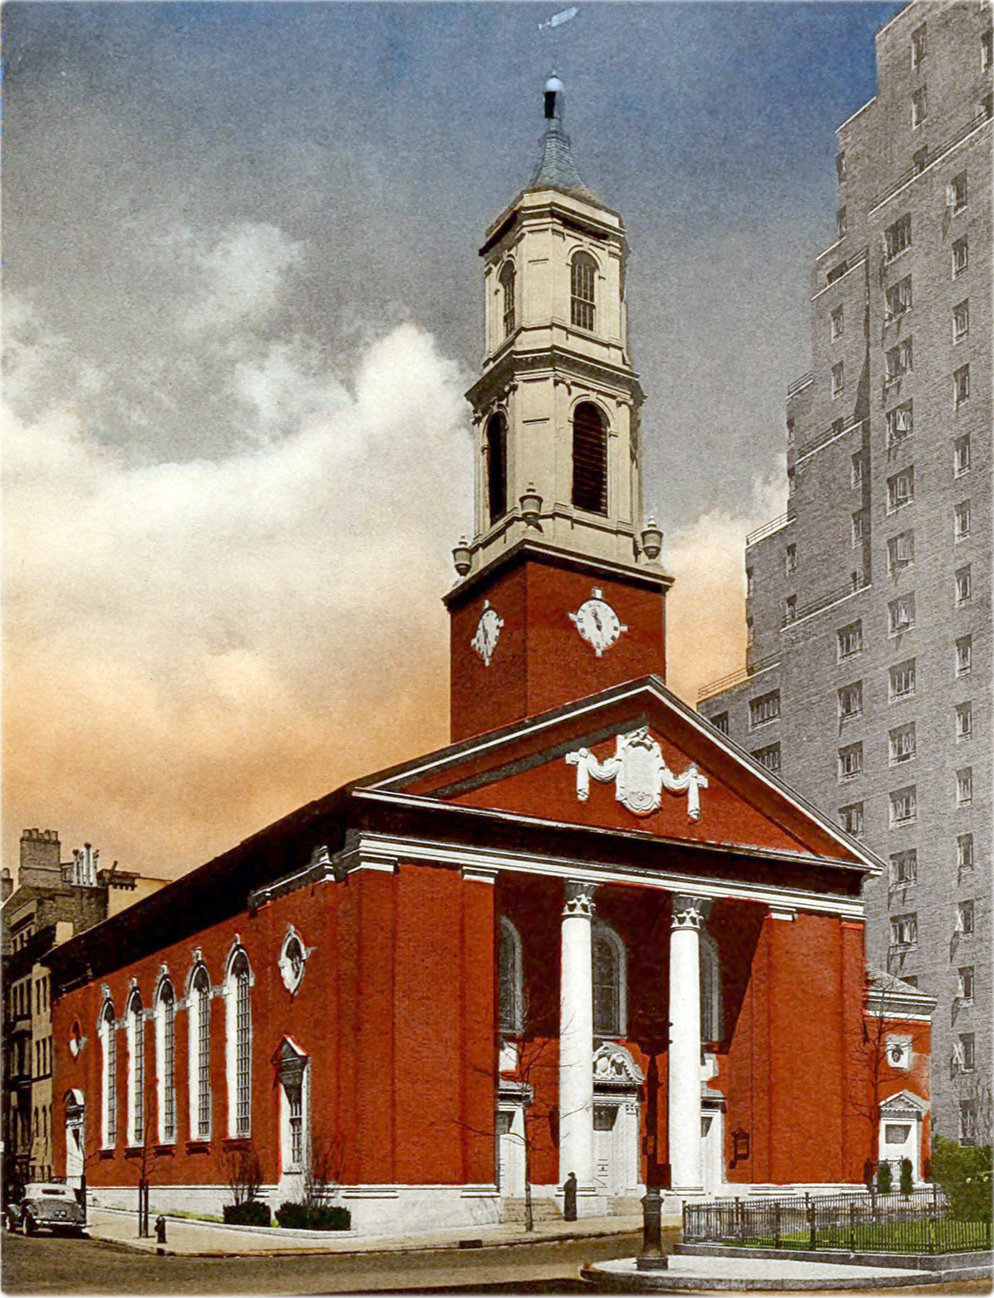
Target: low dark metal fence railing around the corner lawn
[(858, 1222)]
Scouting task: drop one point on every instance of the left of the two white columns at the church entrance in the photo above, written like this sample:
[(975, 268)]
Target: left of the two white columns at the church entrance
[(577, 1040)]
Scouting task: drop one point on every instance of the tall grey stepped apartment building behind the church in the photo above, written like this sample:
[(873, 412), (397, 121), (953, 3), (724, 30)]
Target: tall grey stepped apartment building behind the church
[(869, 670)]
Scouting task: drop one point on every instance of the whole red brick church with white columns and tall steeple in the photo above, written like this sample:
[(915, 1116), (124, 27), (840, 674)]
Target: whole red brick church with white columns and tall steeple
[(591, 920)]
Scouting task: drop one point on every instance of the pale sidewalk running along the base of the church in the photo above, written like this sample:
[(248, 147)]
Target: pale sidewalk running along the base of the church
[(208, 1240)]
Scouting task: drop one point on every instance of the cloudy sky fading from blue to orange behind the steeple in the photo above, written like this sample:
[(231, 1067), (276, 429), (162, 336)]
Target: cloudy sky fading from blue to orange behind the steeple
[(242, 306)]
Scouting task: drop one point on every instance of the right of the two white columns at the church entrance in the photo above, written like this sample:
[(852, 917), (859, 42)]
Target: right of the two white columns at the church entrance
[(686, 1162)]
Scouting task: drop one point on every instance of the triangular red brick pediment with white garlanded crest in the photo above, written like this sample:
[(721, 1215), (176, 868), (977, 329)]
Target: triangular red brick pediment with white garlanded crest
[(634, 759)]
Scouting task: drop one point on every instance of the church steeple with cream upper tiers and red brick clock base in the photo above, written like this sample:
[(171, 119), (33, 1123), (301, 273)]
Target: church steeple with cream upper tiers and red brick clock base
[(560, 593)]
